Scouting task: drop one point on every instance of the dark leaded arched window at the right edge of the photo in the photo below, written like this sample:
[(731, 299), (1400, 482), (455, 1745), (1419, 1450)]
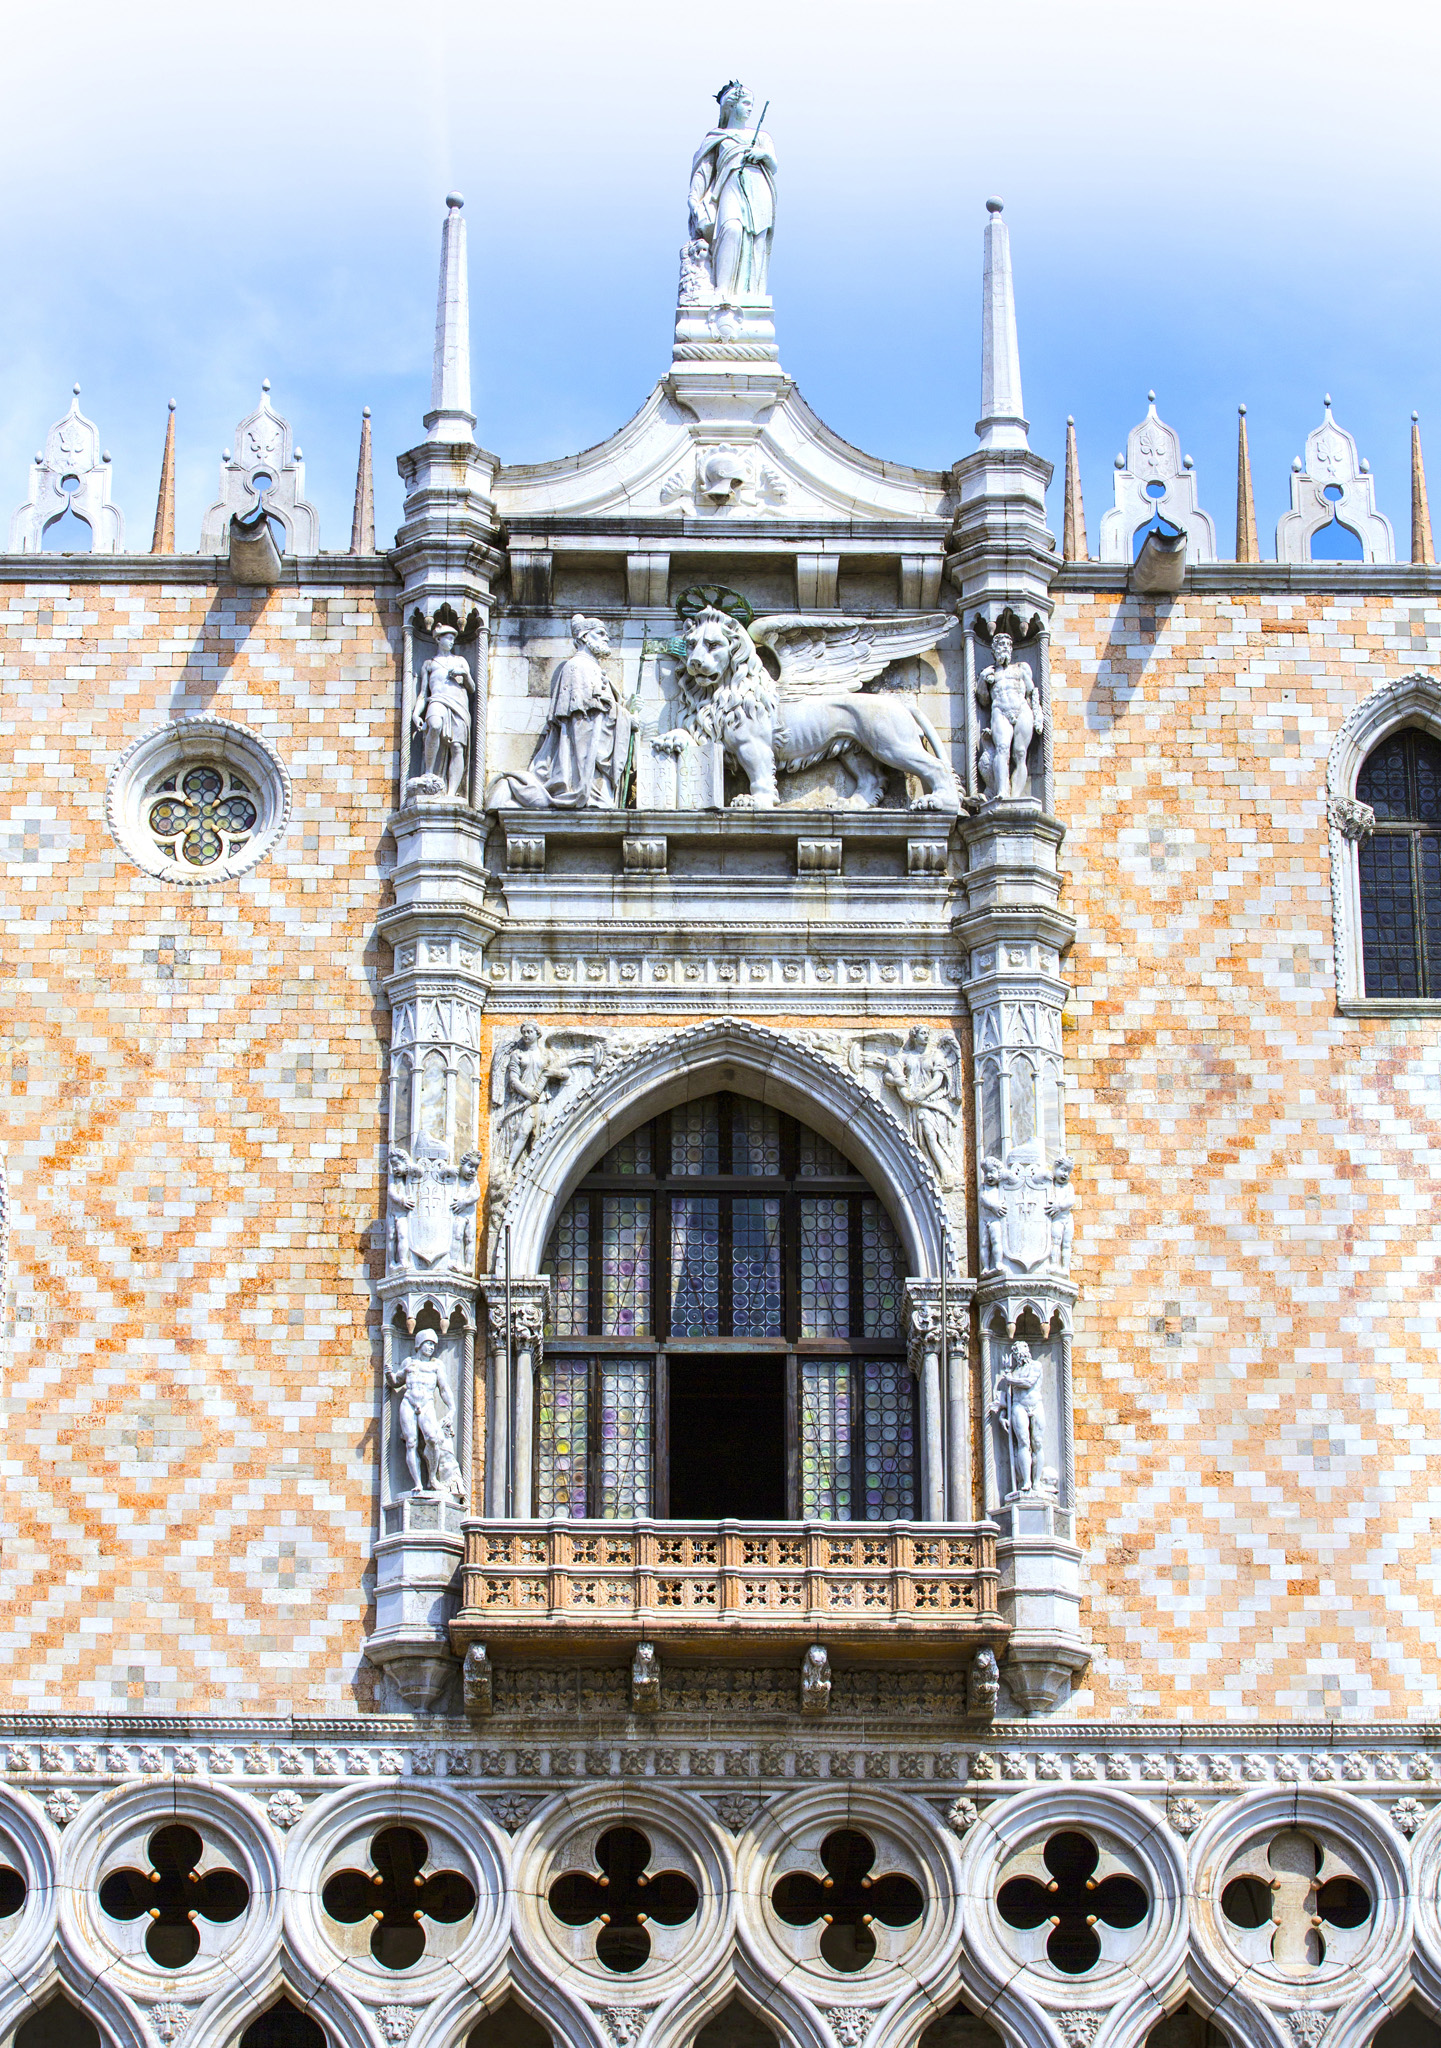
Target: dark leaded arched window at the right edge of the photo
[(1399, 867)]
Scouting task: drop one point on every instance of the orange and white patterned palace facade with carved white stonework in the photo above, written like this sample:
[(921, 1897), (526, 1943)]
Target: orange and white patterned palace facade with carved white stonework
[(359, 914)]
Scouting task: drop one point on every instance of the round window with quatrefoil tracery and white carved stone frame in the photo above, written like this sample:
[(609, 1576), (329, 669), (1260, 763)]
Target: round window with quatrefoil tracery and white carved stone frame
[(200, 802)]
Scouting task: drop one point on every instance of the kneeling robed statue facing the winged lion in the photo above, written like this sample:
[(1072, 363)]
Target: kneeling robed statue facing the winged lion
[(582, 755)]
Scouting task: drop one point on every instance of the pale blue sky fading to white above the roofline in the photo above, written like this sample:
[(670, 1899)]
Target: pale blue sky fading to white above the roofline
[(1231, 206)]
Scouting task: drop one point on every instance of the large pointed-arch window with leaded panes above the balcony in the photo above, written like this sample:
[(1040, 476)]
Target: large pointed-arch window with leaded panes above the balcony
[(726, 1332)]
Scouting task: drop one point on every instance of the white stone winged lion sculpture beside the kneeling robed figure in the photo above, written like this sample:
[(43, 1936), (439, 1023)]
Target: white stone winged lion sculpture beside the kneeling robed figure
[(791, 693)]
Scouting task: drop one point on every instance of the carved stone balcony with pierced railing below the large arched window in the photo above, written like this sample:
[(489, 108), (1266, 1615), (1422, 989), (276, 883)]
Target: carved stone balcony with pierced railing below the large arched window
[(896, 1590)]
